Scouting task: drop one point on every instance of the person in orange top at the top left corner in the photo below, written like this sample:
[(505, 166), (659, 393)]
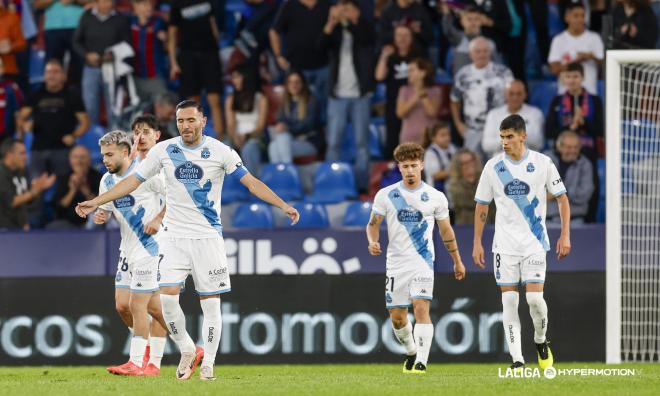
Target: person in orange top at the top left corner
[(11, 41)]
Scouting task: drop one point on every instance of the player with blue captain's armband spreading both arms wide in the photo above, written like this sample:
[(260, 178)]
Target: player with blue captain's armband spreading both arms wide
[(194, 167)]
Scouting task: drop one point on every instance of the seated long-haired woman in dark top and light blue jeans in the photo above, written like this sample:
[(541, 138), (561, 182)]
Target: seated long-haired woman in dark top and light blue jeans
[(296, 133)]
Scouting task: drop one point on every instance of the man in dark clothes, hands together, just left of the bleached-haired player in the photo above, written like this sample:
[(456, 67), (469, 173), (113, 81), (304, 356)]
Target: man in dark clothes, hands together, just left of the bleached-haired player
[(82, 184)]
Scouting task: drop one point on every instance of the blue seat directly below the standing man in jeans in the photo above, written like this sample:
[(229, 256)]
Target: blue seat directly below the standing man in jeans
[(333, 182)]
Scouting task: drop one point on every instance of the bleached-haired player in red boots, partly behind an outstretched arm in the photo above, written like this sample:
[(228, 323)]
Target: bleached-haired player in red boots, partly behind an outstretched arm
[(136, 286)]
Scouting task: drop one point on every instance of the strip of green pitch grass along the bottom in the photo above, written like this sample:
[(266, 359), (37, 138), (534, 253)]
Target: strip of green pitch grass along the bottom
[(335, 380)]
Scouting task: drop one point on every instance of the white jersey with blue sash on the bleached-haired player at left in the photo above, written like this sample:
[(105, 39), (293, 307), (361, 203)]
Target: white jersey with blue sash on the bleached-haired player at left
[(133, 211)]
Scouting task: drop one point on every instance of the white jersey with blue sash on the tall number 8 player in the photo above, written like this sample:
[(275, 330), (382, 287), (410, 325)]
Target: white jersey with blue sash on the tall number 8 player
[(520, 192)]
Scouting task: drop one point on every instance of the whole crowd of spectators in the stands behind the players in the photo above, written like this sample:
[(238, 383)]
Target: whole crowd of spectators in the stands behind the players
[(306, 81)]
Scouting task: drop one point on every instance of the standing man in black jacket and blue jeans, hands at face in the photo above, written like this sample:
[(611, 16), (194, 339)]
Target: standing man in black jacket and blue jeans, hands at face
[(350, 39)]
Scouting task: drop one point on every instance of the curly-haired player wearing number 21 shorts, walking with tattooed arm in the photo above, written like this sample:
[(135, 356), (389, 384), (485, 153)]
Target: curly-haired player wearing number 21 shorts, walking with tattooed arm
[(411, 208)]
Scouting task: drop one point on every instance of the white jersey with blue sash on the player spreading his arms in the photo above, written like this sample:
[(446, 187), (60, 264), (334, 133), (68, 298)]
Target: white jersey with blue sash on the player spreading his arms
[(193, 183)]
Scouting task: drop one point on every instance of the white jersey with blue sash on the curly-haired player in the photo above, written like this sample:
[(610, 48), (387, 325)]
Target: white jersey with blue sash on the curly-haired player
[(411, 216)]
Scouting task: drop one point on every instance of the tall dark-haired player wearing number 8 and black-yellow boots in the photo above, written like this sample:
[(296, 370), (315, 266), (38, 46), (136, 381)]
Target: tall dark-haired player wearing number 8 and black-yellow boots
[(519, 181)]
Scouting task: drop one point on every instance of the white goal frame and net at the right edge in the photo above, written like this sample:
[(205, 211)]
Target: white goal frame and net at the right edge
[(633, 206)]
